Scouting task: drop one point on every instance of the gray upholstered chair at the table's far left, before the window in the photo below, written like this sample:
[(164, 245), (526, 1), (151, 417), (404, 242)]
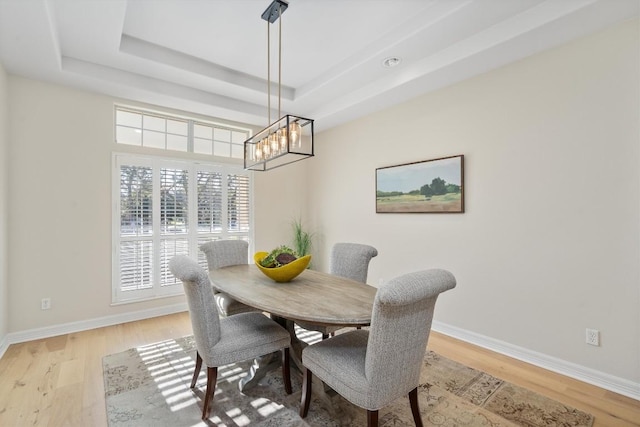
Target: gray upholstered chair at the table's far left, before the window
[(223, 253)]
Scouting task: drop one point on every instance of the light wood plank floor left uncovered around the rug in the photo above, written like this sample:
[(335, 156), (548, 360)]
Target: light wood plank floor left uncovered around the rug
[(58, 381)]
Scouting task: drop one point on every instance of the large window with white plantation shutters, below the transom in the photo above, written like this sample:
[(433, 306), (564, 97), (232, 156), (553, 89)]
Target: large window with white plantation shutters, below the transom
[(165, 208)]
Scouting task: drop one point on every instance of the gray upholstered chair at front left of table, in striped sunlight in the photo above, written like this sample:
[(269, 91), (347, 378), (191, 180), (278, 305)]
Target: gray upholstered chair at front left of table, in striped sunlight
[(228, 340)]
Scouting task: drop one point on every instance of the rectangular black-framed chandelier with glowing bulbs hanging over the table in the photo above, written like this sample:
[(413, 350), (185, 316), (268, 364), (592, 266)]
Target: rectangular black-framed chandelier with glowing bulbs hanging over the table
[(288, 139)]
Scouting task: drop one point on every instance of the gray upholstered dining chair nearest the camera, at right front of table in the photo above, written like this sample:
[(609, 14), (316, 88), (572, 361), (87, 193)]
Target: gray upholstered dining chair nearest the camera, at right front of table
[(373, 368)]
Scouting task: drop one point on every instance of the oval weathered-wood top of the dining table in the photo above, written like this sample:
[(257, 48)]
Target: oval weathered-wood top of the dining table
[(313, 296)]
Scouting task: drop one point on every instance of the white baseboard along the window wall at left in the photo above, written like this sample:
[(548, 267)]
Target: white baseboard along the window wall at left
[(84, 325)]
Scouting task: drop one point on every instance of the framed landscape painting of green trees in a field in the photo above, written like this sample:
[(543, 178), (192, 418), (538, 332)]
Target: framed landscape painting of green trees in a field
[(428, 186)]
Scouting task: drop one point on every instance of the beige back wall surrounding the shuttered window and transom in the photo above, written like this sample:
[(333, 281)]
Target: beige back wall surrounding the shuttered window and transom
[(60, 206)]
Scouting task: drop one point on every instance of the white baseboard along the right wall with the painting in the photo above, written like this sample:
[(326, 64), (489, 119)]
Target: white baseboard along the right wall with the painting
[(581, 373)]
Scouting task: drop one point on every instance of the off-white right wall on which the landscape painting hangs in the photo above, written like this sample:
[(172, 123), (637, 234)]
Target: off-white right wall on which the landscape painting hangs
[(550, 241)]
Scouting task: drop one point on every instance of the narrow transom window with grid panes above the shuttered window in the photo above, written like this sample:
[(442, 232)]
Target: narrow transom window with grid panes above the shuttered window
[(155, 130)]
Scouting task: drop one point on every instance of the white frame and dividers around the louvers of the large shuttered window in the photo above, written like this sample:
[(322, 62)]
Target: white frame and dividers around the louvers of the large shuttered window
[(193, 235)]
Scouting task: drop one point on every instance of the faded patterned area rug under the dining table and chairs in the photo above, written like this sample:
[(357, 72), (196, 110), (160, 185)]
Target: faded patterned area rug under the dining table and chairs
[(149, 386)]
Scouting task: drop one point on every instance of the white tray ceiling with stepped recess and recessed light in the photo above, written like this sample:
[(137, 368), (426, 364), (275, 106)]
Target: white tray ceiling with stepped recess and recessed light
[(209, 56)]
